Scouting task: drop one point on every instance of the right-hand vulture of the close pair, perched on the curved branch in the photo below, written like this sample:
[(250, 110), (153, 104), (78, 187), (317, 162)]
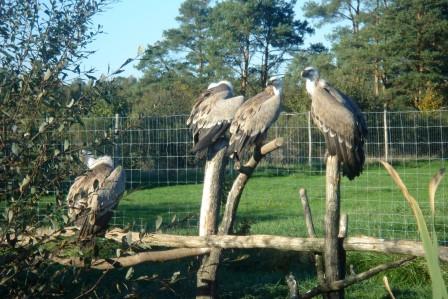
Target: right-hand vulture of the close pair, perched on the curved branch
[(253, 119)]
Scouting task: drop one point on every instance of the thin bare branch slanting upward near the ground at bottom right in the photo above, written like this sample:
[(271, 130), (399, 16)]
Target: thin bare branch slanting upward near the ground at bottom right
[(341, 284)]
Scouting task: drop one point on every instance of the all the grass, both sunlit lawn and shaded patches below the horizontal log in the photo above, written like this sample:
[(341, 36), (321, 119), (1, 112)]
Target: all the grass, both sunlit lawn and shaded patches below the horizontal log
[(270, 205)]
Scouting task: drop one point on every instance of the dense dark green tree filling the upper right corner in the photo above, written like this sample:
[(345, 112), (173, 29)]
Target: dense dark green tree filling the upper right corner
[(415, 52)]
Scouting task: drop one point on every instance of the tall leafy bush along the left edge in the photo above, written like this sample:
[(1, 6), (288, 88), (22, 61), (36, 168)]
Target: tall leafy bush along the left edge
[(43, 44)]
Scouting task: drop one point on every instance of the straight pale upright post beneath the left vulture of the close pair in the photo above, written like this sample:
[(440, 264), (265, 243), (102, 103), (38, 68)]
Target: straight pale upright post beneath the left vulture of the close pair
[(213, 181)]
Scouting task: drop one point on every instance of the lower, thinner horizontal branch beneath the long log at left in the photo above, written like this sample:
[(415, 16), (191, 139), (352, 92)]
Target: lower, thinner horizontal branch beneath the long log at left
[(129, 261)]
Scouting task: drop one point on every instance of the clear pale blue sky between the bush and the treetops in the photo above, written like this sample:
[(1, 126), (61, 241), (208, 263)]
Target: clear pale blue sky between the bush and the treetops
[(129, 24)]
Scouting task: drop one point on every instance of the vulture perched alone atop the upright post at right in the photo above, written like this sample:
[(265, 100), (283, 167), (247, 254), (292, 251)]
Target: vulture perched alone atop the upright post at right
[(340, 120)]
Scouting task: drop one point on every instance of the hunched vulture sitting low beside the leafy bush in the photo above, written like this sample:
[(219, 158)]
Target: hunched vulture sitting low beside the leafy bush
[(93, 196)]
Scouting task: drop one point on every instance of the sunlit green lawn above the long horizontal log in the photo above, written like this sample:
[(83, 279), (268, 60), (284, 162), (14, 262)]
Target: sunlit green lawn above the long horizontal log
[(270, 204)]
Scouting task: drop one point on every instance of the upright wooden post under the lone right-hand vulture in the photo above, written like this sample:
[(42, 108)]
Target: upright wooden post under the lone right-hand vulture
[(333, 250)]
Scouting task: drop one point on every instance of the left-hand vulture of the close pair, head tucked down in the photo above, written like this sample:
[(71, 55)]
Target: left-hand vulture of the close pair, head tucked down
[(211, 115)]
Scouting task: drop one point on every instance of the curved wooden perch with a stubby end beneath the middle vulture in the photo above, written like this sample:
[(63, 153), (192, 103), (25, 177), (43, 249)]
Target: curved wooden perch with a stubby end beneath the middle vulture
[(206, 283)]
